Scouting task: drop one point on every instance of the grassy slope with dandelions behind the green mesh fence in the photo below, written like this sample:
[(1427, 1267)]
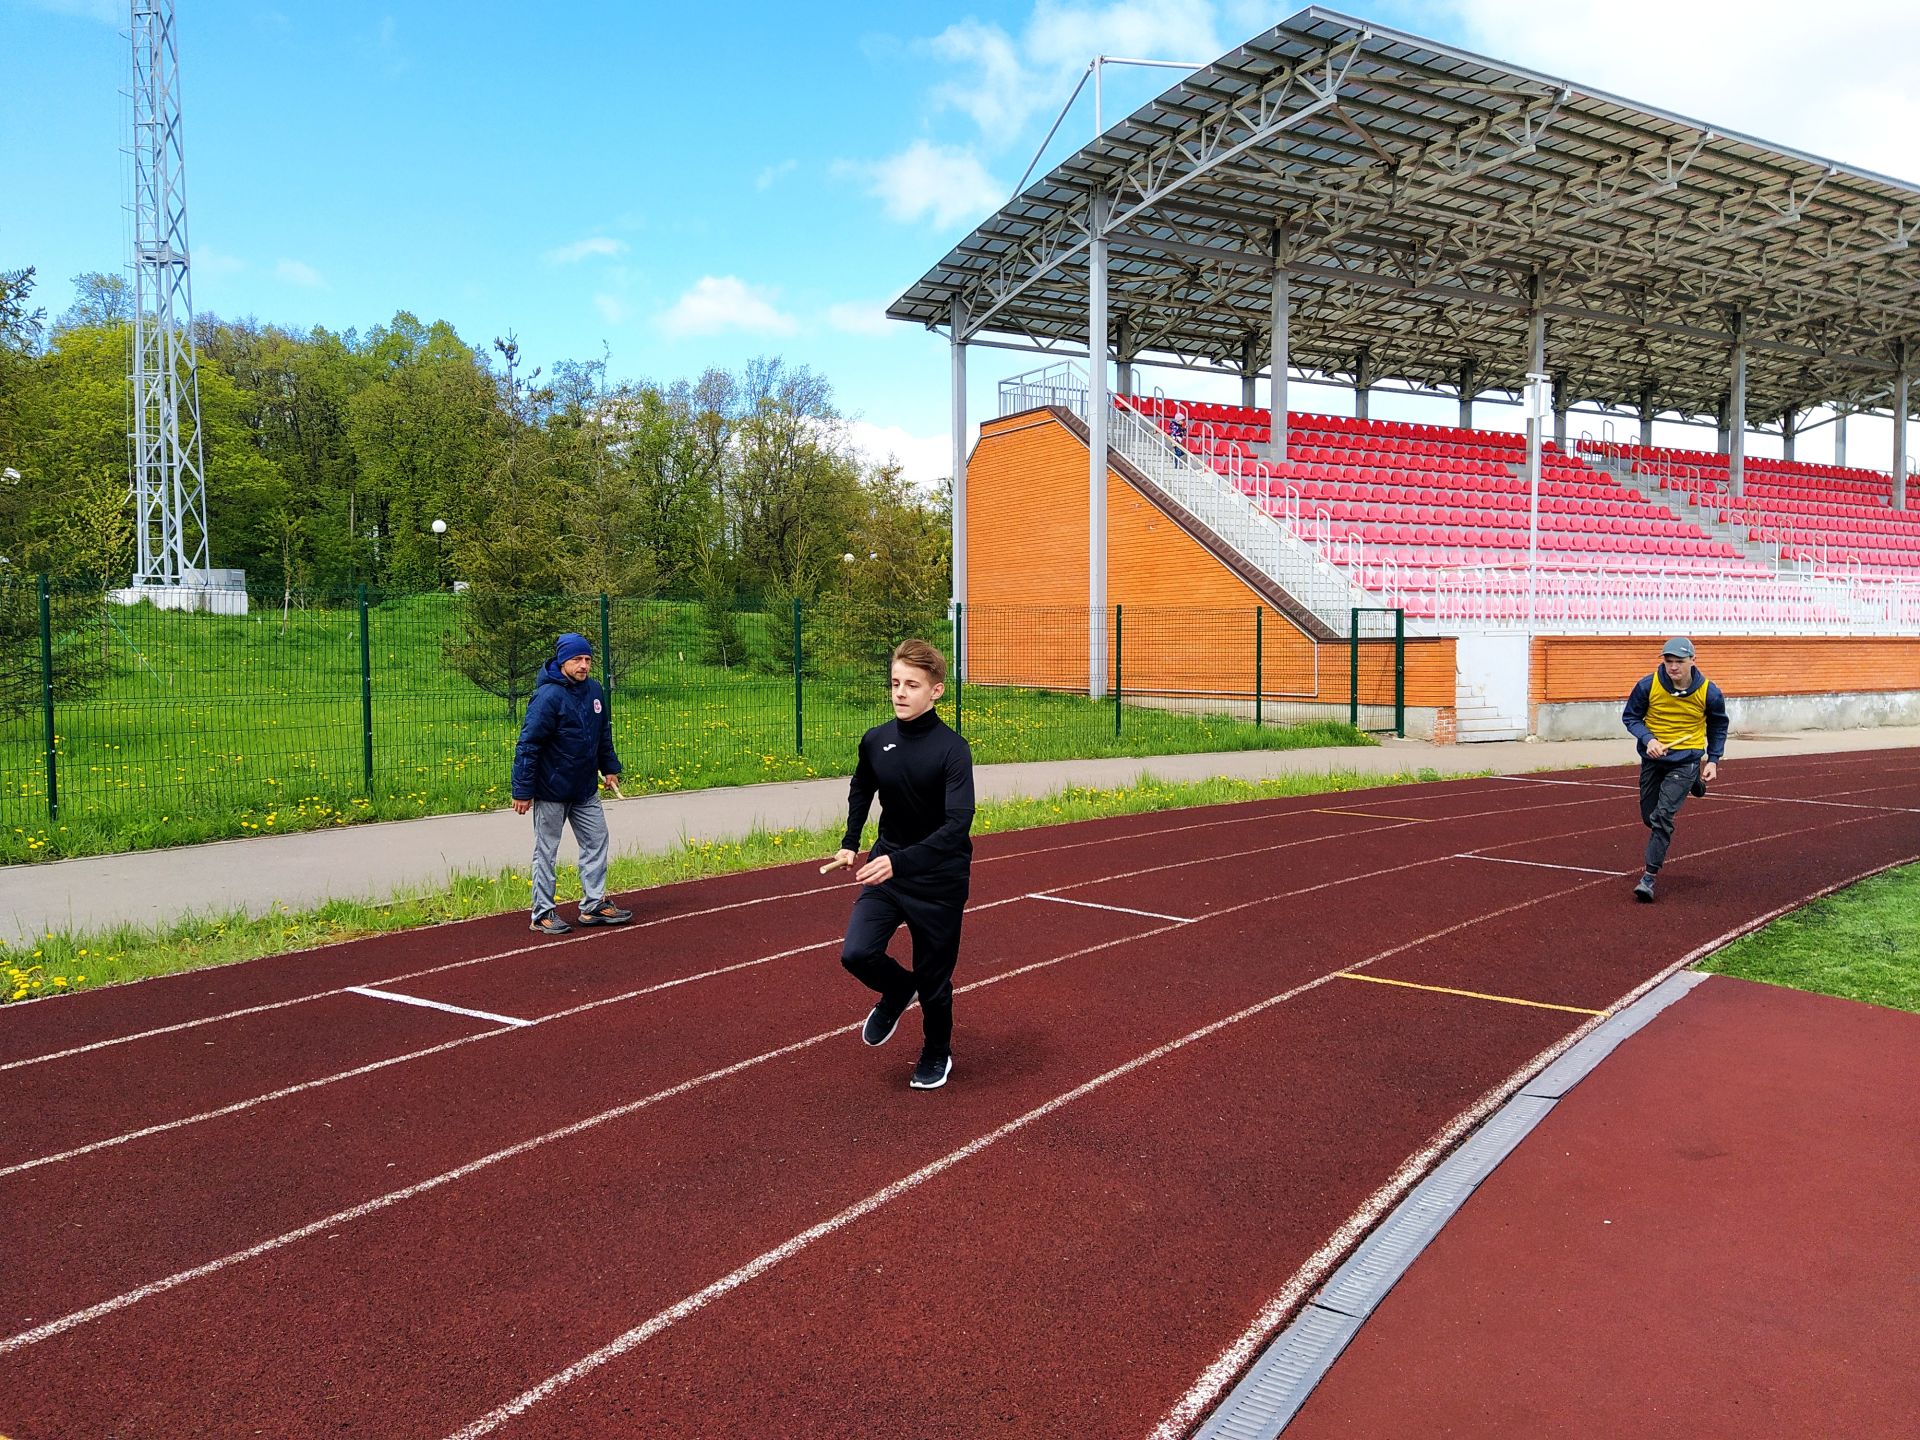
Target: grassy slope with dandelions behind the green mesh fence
[(220, 727)]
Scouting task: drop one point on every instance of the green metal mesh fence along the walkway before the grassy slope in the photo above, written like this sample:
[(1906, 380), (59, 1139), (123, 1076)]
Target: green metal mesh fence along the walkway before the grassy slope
[(128, 725)]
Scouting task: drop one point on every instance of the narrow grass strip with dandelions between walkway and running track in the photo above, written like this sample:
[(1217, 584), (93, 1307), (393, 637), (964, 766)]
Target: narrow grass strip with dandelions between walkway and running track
[(70, 961)]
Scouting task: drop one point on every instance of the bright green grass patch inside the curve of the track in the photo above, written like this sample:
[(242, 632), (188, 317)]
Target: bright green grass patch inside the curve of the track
[(1861, 944)]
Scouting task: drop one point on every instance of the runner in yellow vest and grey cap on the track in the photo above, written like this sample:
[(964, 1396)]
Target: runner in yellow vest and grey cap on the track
[(1679, 719)]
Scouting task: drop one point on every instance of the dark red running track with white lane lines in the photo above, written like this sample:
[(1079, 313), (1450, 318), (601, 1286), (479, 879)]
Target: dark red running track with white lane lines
[(656, 1186)]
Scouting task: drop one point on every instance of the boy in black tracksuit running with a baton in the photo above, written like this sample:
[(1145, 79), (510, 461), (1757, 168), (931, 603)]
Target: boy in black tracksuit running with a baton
[(919, 871)]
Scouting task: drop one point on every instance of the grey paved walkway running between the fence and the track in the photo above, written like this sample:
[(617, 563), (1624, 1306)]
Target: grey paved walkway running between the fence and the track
[(372, 863)]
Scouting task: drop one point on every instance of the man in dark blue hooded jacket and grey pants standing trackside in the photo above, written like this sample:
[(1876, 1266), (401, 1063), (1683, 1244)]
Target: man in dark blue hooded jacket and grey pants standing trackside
[(565, 748)]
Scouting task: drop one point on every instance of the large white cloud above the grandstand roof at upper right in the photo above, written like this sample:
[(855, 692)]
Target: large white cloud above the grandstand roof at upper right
[(1844, 85)]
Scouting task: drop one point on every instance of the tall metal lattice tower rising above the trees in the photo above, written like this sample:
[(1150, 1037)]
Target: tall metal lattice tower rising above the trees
[(170, 489)]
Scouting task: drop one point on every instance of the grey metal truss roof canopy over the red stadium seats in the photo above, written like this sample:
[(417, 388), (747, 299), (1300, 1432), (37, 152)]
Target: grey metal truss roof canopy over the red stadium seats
[(1426, 203)]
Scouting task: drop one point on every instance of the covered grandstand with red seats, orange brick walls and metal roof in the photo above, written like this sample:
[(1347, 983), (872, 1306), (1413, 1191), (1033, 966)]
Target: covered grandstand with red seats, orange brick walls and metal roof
[(1339, 203)]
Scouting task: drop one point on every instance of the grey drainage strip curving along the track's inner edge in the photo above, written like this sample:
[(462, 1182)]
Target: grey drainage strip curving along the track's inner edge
[(1280, 1383)]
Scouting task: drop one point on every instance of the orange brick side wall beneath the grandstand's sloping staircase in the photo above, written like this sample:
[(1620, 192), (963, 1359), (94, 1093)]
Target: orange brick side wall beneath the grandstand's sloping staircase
[(1188, 621)]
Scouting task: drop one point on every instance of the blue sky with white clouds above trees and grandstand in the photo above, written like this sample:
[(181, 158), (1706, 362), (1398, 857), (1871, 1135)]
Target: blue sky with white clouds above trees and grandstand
[(690, 185)]
